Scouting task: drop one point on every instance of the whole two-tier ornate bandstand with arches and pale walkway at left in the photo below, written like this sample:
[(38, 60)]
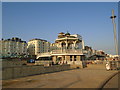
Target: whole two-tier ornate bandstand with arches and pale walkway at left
[(67, 49)]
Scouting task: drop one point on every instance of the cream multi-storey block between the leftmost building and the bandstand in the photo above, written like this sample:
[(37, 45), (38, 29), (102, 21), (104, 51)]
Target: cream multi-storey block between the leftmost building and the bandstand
[(36, 46)]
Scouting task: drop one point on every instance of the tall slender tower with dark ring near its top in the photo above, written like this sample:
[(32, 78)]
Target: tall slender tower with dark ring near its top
[(114, 30)]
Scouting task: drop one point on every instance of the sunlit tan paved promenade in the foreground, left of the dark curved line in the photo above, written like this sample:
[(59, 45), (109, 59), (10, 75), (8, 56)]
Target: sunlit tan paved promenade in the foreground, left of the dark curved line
[(91, 77)]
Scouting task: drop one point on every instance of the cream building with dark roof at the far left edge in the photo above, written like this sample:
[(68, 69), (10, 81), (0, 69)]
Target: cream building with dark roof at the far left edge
[(14, 46)]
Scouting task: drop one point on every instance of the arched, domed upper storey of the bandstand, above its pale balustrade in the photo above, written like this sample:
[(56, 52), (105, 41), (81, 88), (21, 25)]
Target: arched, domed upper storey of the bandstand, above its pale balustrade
[(68, 41)]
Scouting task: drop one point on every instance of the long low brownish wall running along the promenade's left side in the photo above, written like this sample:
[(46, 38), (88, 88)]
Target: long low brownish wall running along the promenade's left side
[(22, 71)]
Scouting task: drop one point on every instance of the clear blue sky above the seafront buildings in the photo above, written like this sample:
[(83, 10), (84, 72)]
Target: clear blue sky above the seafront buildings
[(44, 20)]
